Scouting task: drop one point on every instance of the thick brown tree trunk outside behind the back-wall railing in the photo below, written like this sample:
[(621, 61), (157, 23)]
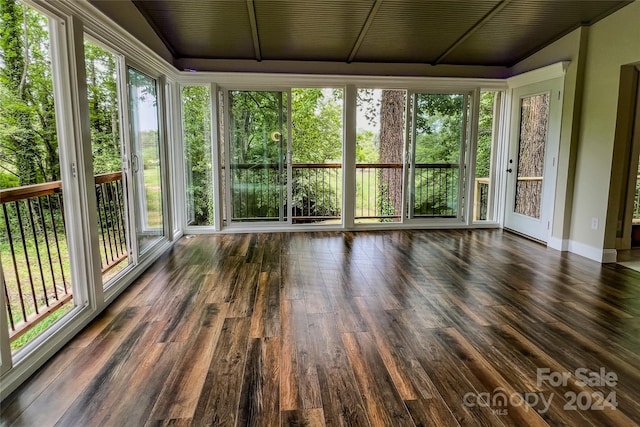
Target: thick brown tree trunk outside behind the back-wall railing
[(391, 148)]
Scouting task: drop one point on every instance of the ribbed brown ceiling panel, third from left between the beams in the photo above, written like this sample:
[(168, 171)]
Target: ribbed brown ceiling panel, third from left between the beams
[(419, 31)]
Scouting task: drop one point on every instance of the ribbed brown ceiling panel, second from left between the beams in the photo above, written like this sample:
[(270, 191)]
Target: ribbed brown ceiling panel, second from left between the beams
[(309, 29)]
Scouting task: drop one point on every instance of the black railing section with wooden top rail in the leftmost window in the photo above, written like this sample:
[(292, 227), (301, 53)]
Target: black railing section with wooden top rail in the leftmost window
[(34, 254)]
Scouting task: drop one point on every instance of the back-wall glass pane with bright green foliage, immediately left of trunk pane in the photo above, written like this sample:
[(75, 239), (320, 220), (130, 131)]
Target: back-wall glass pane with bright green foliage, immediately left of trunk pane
[(316, 116)]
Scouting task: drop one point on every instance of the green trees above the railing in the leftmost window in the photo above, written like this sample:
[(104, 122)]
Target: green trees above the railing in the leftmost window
[(29, 147)]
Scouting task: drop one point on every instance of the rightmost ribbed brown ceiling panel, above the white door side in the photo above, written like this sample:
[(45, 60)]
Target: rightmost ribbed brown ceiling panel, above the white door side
[(524, 27)]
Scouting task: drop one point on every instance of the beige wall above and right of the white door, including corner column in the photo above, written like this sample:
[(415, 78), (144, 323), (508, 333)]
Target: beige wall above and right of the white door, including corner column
[(589, 117)]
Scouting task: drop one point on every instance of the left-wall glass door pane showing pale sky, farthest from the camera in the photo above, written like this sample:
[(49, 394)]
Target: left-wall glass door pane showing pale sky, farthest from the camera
[(145, 159)]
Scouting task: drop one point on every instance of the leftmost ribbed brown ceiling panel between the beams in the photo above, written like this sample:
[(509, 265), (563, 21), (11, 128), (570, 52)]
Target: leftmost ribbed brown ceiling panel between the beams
[(202, 29)]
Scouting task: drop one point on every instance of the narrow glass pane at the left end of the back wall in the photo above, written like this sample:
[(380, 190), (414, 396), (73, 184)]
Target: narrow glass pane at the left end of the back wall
[(198, 157)]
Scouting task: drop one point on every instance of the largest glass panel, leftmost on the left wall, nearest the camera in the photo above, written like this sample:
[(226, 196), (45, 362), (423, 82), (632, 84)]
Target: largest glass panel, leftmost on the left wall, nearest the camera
[(33, 240)]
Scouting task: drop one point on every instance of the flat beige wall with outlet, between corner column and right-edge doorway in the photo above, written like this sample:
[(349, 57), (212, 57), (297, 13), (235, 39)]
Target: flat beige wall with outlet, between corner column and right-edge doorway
[(612, 43)]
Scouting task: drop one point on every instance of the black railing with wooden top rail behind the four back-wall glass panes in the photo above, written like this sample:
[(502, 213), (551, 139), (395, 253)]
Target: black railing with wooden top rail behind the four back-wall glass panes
[(259, 191)]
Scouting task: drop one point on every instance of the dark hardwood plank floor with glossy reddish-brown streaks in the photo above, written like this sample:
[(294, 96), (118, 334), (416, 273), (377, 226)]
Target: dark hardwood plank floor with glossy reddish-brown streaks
[(426, 328)]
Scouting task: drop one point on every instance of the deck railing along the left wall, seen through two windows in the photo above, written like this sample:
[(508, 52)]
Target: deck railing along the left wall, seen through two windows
[(33, 247)]
